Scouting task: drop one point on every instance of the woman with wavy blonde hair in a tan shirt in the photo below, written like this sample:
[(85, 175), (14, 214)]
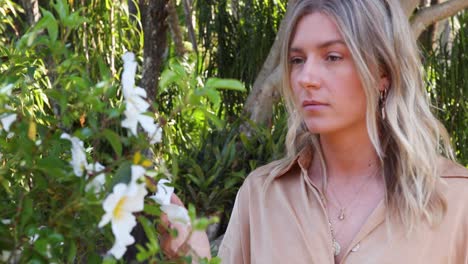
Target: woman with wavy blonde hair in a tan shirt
[(364, 180)]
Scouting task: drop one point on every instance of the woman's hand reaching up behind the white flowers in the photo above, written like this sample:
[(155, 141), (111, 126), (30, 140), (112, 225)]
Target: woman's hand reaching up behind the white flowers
[(196, 245)]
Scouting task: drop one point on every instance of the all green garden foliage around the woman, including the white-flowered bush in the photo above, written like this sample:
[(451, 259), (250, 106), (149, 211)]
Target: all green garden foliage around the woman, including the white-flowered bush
[(77, 135)]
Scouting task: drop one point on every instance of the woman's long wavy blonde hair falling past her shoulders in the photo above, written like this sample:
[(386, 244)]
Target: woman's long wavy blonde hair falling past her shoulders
[(410, 140)]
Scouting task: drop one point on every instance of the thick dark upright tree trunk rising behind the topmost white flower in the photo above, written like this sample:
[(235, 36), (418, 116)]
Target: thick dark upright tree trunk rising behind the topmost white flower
[(154, 19)]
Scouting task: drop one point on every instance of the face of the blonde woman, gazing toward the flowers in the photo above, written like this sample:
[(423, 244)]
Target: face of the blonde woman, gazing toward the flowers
[(324, 79)]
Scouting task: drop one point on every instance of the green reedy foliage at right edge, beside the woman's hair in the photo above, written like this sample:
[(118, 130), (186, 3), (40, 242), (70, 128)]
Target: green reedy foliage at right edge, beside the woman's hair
[(448, 85)]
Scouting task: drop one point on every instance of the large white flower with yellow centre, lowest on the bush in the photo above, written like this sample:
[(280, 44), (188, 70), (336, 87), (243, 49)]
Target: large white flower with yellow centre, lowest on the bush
[(119, 207)]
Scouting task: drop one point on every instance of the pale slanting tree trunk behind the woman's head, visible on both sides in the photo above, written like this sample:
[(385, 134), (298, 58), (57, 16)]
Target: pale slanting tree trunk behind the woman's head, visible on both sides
[(265, 91)]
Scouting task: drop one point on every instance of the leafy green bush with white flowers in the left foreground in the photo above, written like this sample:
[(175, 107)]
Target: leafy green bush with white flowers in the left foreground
[(83, 156)]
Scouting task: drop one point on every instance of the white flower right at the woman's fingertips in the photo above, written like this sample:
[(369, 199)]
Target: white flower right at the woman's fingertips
[(175, 213)]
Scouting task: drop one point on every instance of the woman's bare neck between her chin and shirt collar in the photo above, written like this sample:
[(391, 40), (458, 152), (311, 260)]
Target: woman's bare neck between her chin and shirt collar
[(348, 157)]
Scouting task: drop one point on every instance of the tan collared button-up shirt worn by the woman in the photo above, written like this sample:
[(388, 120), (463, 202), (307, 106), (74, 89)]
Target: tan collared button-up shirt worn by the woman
[(289, 225)]
